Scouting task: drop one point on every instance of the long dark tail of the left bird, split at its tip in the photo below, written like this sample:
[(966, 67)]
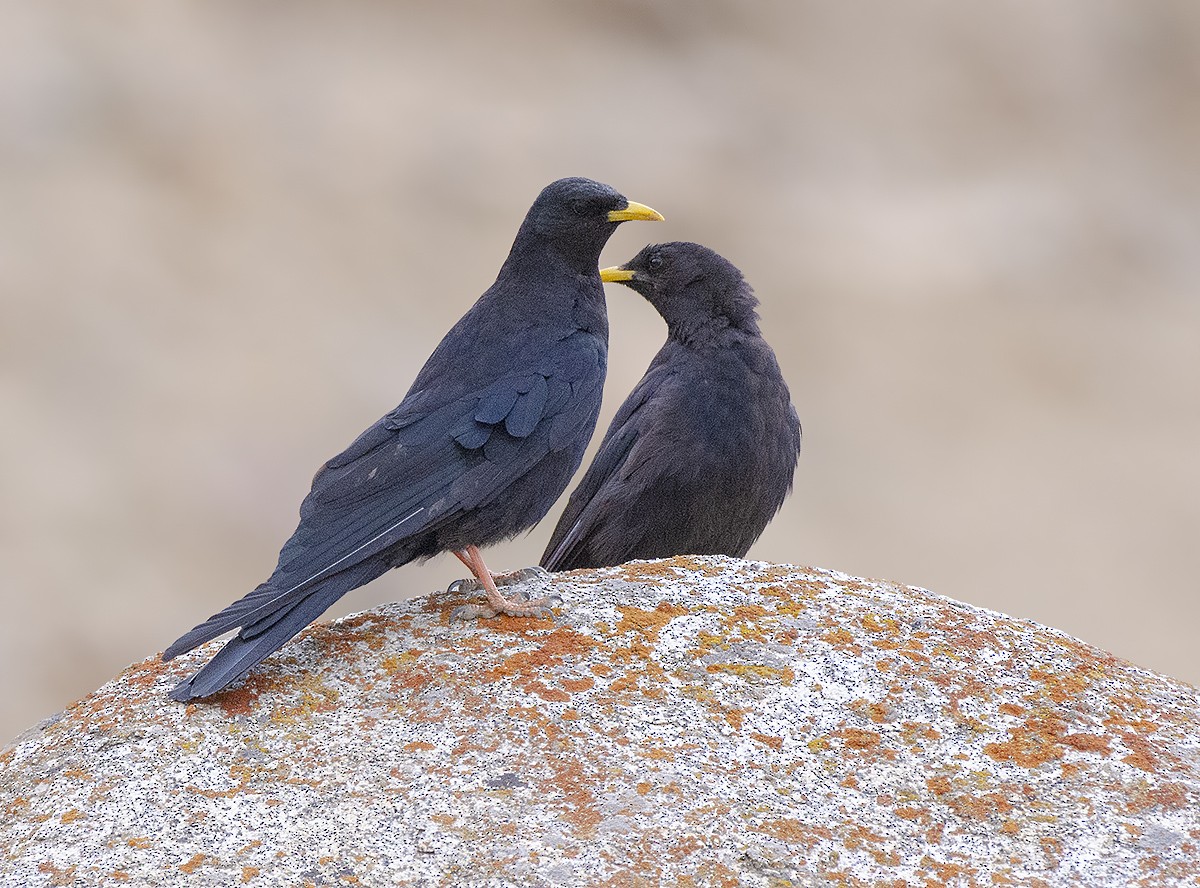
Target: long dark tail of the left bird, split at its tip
[(265, 629)]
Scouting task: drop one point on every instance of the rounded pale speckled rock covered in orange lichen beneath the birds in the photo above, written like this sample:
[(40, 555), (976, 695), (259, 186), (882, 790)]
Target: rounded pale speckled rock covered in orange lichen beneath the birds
[(691, 722)]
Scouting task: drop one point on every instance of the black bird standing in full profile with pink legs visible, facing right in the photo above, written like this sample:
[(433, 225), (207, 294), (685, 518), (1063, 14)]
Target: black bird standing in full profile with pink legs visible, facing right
[(488, 437)]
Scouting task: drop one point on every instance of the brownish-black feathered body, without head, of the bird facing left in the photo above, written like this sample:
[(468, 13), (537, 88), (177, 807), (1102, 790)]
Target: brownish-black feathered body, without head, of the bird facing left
[(698, 460)]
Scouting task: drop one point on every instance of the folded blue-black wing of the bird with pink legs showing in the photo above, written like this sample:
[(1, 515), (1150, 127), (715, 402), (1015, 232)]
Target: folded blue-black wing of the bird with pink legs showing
[(410, 472)]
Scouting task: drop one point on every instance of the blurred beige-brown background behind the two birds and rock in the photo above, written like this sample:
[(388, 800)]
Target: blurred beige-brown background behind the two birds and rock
[(231, 235)]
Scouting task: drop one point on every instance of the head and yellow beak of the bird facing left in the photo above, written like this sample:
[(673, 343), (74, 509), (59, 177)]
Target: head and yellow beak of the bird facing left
[(689, 285)]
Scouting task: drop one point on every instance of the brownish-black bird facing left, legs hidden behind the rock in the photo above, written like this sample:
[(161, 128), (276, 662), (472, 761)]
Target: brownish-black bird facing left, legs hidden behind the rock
[(701, 455)]
